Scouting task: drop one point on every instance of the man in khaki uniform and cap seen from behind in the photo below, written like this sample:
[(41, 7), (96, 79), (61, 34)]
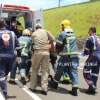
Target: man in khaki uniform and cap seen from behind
[(40, 57)]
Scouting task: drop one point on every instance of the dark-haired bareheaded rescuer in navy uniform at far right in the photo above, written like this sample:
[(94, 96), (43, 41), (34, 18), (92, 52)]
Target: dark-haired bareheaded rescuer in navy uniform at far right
[(92, 65)]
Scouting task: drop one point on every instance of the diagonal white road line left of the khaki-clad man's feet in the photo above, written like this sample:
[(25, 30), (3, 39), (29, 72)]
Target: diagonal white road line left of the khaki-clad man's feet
[(25, 88)]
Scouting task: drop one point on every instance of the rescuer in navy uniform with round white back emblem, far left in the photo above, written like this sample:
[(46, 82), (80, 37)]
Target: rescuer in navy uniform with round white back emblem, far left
[(8, 42)]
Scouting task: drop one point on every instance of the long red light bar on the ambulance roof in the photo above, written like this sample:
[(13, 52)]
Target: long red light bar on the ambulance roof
[(14, 7)]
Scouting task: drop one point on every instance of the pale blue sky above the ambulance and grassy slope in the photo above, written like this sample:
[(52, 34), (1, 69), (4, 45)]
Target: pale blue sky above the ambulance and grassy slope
[(40, 4)]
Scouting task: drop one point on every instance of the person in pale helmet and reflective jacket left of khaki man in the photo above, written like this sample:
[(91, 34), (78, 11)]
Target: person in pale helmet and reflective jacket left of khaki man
[(25, 42)]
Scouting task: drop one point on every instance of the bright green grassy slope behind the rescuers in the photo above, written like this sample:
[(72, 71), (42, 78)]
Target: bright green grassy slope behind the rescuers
[(82, 17)]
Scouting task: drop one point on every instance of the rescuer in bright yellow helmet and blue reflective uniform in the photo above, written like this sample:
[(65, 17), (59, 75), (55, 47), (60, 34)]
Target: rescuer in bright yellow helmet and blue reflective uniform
[(66, 46)]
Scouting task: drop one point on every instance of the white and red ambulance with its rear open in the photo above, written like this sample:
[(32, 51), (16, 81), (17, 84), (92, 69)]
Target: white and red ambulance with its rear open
[(24, 15)]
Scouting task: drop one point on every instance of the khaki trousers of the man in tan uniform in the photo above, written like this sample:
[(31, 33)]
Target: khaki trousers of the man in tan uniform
[(40, 60)]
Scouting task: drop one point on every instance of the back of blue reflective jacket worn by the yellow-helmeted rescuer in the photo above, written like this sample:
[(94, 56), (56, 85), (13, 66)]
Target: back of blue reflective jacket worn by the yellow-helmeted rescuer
[(70, 43)]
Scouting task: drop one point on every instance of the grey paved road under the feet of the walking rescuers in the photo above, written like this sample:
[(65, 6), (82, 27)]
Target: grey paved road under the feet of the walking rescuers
[(17, 92)]
